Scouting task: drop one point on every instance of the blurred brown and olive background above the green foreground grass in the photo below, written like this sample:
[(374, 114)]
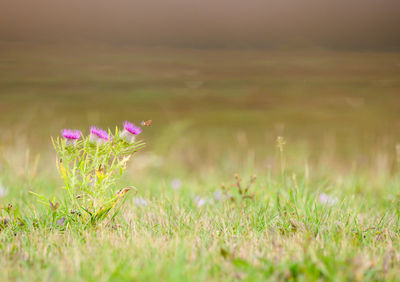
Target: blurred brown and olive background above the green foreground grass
[(220, 80)]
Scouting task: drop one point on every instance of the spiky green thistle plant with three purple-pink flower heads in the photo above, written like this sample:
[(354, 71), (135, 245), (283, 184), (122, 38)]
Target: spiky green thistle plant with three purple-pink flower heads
[(90, 168)]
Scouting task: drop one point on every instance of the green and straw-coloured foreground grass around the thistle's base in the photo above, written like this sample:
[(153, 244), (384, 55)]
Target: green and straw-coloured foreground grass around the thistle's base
[(285, 232)]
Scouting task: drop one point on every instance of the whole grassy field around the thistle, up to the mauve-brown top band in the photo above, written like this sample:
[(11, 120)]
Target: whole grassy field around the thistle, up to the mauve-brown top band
[(325, 204)]
